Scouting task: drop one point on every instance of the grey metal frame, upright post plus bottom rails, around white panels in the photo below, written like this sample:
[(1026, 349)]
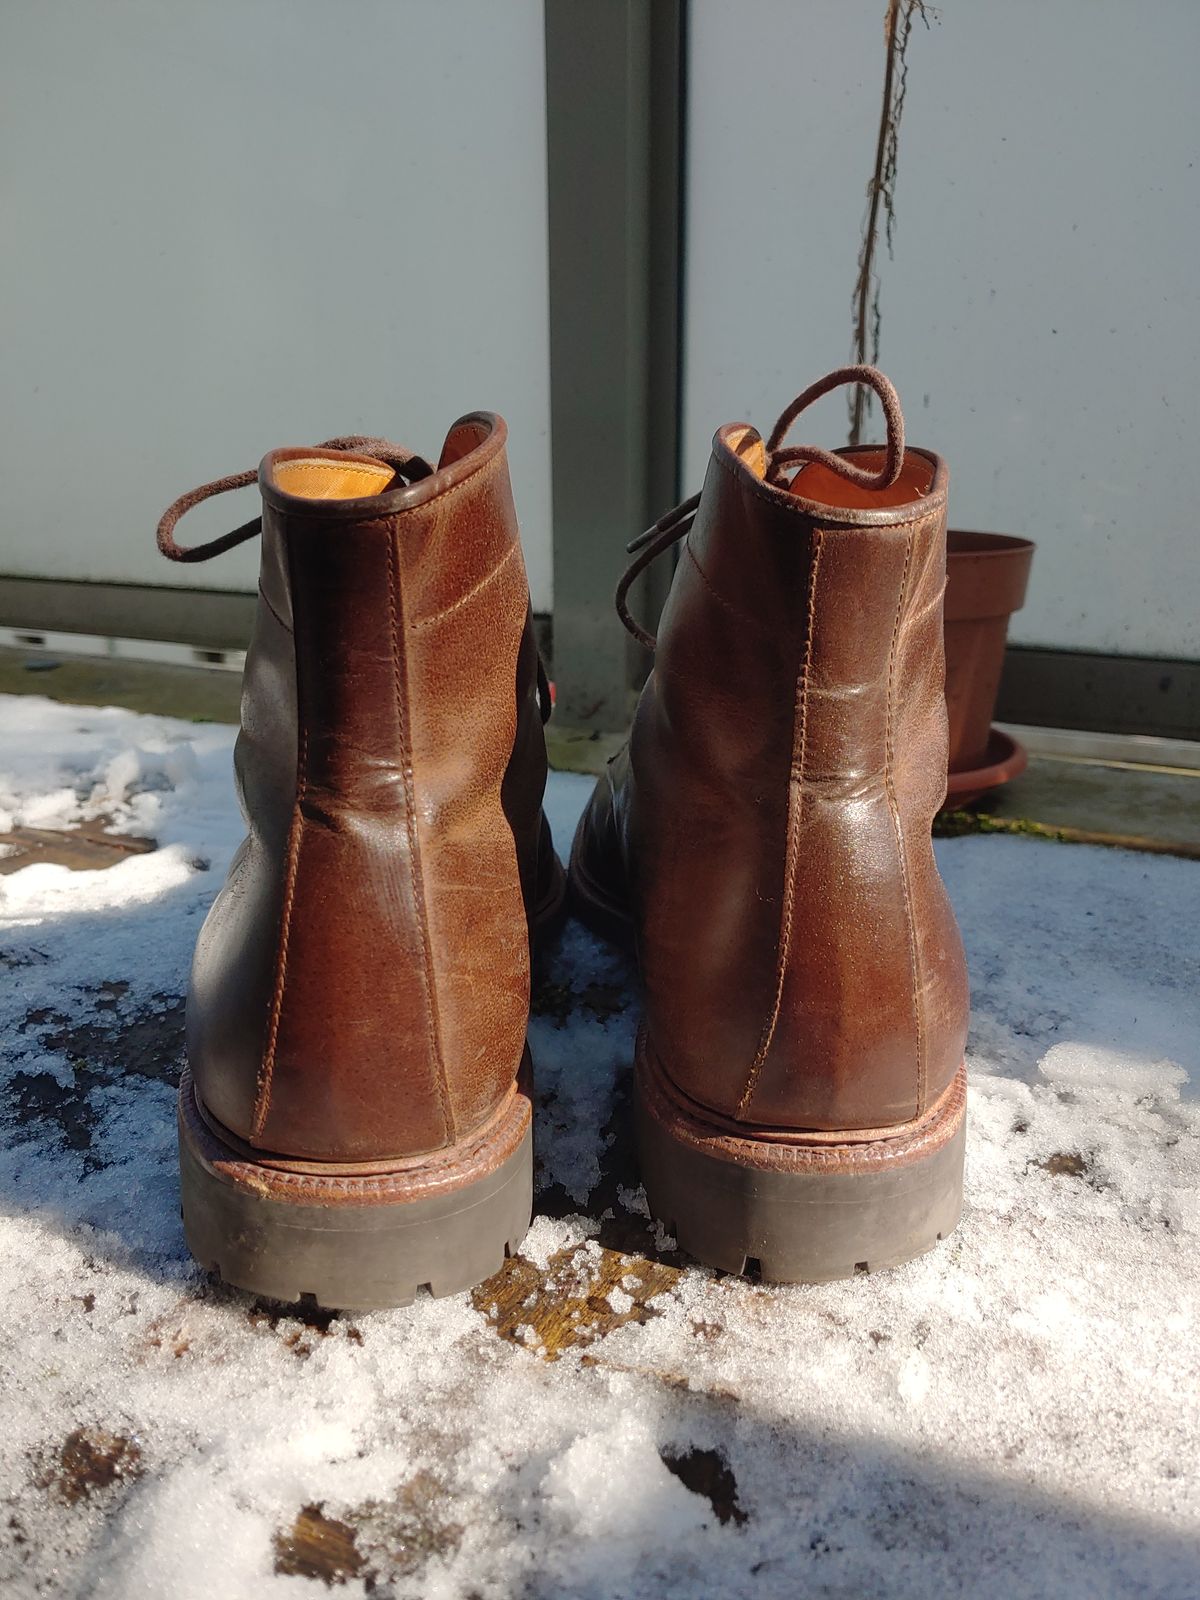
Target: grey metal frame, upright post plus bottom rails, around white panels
[(617, 103)]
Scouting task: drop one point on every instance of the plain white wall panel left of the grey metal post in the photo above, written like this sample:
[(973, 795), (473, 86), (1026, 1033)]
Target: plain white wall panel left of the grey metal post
[(231, 225)]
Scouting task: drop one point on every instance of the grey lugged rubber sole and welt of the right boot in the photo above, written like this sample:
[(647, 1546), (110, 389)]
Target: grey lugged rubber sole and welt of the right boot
[(798, 1214)]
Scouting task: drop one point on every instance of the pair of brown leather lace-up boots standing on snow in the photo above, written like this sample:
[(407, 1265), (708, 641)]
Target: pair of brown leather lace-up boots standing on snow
[(356, 1116)]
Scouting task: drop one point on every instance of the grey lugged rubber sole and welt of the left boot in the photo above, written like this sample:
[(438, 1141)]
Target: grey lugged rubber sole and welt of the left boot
[(364, 1241)]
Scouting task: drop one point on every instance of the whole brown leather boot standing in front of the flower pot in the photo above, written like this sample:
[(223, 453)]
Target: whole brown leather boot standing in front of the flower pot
[(766, 839)]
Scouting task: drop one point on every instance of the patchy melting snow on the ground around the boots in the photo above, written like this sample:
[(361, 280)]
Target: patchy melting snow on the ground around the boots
[(1014, 1415)]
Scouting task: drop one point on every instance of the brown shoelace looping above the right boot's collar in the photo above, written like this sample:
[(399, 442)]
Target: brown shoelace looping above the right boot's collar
[(678, 522)]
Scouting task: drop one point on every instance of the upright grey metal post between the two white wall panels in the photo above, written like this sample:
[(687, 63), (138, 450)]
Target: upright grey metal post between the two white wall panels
[(615, 103)]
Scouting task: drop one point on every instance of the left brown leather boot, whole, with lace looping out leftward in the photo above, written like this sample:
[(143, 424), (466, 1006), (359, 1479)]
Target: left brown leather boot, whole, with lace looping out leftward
[(356, 1121)]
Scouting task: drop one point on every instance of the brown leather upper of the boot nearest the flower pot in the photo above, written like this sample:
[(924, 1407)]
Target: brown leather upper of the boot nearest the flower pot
[(769, 825)]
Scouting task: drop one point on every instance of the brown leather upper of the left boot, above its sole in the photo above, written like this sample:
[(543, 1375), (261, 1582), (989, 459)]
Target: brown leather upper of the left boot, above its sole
[(361, 988)]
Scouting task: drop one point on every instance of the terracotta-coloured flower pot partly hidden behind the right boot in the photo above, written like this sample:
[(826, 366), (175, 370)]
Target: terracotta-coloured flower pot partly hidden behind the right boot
[(986, 578)]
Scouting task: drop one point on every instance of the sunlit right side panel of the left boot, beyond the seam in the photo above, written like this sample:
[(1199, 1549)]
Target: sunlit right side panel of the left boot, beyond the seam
[(479, 759)]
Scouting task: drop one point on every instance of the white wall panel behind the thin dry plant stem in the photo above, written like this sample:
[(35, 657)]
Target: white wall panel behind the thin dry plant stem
[(1041, 318)]
